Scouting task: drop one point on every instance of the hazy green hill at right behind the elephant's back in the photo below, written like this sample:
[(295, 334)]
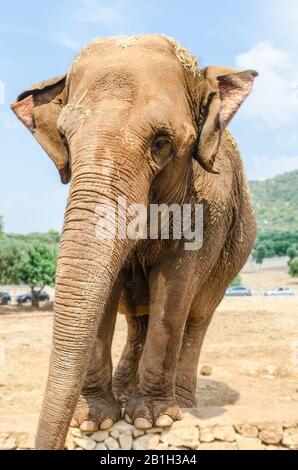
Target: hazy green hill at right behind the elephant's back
[(276, 202)]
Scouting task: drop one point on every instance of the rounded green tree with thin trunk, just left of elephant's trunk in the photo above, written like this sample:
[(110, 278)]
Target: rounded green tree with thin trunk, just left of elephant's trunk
[(39, 269)]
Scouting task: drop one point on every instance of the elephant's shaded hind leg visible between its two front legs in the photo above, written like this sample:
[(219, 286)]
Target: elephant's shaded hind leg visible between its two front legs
[(125, 375)]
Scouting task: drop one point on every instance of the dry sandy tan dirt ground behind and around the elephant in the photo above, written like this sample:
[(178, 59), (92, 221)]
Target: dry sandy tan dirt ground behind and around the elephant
[(251, 345)]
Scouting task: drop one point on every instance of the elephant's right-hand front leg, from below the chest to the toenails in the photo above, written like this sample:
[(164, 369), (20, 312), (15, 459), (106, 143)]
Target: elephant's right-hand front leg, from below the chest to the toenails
[(154, 401)]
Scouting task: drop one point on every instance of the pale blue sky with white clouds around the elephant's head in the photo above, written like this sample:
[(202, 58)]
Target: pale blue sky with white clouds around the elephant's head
[(39, 41)]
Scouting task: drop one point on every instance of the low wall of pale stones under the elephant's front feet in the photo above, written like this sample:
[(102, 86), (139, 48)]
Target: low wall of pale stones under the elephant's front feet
[(190, 433)]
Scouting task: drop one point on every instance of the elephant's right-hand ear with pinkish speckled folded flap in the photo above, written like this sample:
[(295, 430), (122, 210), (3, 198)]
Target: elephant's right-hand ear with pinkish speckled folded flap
[(224, 92)]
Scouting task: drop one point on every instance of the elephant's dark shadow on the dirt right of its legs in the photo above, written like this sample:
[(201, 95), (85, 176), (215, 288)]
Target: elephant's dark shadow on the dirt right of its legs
[(214, 396)]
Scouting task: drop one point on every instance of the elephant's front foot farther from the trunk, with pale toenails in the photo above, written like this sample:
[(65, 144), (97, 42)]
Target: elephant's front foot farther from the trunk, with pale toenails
[(146, 412)]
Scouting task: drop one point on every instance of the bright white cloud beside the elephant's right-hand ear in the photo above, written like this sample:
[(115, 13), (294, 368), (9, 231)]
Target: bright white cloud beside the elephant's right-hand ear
[(275, 96)]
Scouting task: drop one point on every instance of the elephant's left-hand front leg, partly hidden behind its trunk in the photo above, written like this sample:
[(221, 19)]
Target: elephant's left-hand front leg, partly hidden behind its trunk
[(97, 406)]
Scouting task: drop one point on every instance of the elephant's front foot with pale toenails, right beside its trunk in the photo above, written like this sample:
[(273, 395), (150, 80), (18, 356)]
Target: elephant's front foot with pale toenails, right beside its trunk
[(93, 413)]
